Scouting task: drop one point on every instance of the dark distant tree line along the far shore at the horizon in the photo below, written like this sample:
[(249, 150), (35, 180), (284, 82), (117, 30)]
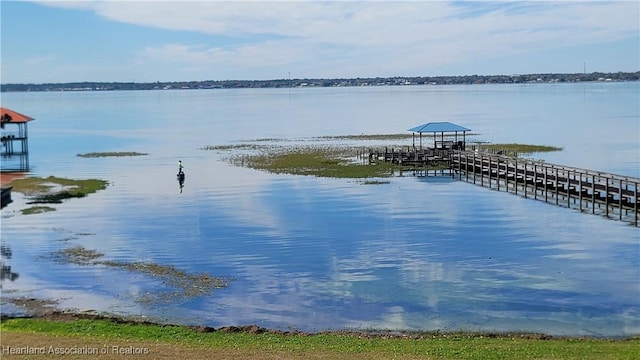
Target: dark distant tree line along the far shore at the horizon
[(287, 83)]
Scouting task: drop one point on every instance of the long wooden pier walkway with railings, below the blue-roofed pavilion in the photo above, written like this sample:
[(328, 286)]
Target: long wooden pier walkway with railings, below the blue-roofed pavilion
[(613, 196)]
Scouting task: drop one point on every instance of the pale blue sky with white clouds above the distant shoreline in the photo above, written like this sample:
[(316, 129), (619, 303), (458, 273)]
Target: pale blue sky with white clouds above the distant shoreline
[(148, 41)]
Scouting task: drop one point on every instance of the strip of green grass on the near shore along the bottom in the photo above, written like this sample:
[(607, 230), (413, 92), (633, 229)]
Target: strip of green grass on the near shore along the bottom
[(334, 345)]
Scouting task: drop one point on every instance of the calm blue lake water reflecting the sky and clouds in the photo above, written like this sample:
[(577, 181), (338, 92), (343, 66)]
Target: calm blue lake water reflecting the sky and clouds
[(314, 253)]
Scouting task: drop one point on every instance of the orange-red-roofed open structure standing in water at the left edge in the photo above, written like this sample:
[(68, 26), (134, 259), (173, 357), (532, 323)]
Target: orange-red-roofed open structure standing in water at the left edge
[(10, 138)]
